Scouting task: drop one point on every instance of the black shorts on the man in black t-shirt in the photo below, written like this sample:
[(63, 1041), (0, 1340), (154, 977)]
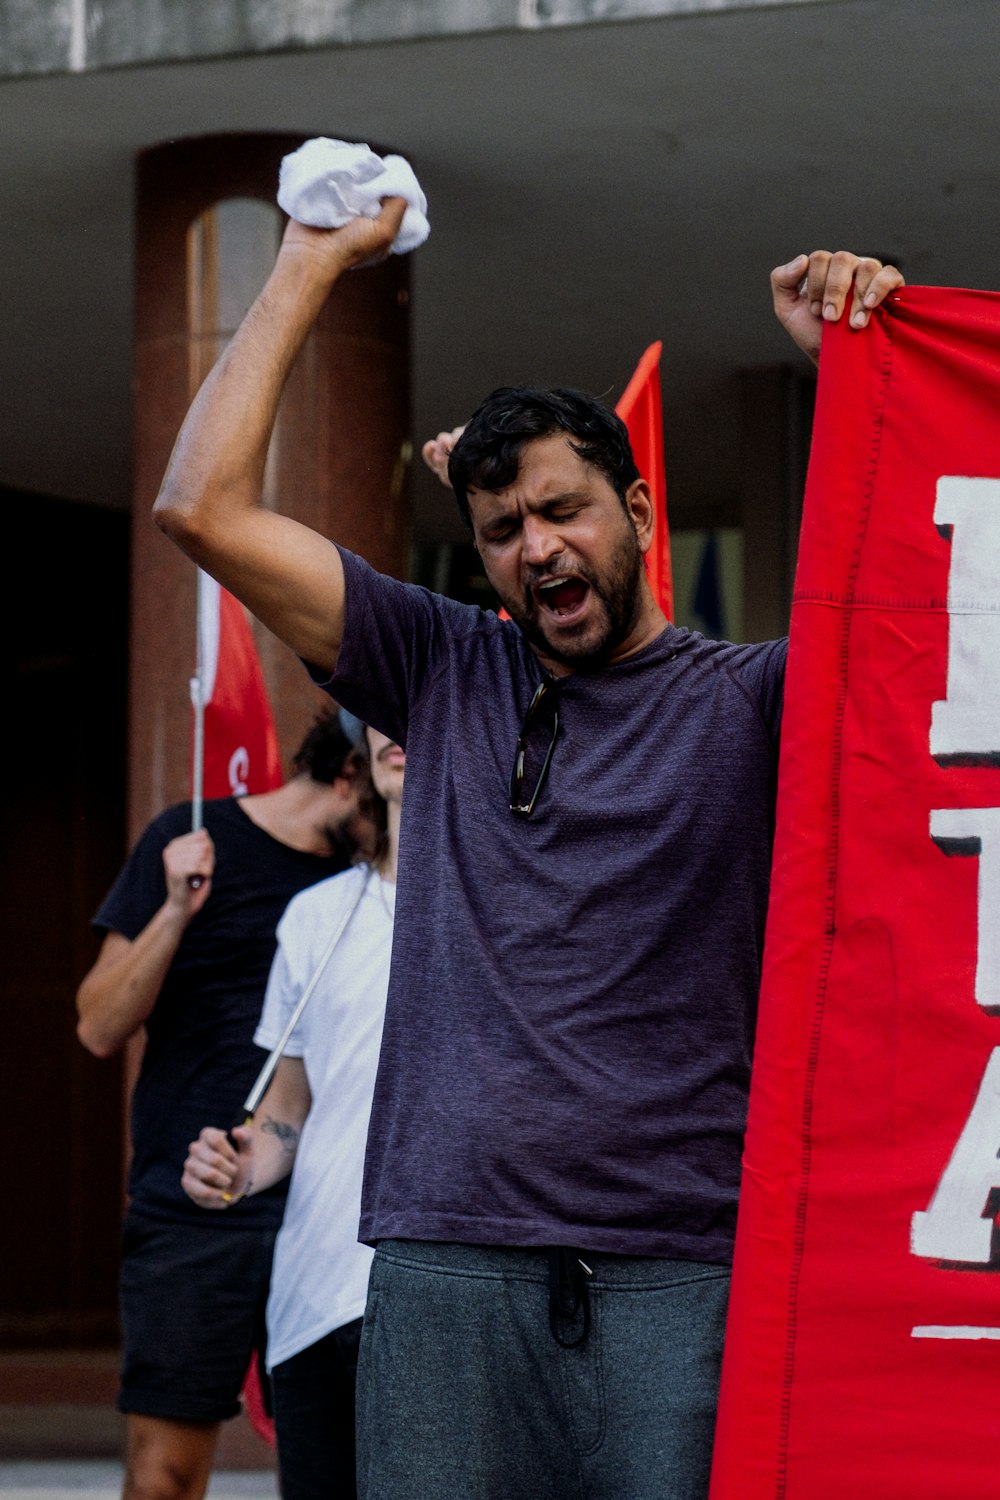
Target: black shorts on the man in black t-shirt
[(193, 1315)]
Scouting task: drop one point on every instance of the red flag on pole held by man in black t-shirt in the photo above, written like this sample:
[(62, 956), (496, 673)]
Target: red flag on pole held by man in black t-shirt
[(241, 743)]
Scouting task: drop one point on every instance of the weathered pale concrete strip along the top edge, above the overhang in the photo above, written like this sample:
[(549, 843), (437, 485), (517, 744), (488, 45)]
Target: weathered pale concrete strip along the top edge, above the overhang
[(58, 37)]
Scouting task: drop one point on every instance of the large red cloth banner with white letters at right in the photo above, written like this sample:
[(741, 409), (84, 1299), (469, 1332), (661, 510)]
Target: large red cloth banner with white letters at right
[(864, 1348)]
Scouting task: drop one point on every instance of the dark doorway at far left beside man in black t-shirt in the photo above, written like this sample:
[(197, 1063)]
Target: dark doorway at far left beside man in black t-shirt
[(62, 818)]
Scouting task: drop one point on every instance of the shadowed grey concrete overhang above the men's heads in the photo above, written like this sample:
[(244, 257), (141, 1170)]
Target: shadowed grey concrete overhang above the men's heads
[(591, 187)]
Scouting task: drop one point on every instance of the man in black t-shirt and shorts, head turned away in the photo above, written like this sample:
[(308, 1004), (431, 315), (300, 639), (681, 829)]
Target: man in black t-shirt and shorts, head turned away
[(190, 965)]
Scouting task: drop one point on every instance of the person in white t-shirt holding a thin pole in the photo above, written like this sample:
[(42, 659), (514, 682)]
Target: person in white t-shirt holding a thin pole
[(316, 1118)]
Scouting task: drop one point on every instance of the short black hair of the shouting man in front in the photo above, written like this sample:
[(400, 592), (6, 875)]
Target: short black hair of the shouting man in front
[(488, 454)]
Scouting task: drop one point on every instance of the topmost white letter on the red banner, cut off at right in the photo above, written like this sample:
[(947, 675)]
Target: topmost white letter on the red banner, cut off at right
[(966, 725)]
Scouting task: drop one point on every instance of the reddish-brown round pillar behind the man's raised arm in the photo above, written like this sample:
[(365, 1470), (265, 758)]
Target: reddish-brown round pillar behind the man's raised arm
[(208, 229)]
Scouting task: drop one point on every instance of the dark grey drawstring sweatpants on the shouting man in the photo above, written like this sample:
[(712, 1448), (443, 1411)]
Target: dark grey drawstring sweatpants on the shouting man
[(466, 1393)]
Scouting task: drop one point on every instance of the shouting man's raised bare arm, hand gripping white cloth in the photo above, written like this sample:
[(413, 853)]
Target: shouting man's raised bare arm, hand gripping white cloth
[(211, 502)]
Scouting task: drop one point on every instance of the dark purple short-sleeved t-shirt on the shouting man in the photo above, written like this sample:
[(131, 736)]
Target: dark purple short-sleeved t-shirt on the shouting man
[(572, 1003)]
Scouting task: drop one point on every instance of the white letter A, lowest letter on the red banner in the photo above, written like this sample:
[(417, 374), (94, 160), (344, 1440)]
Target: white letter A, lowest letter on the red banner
[(959, 1225)]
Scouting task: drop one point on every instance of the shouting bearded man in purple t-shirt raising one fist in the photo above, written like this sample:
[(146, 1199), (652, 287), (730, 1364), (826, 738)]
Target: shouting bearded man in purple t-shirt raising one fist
[(555, 1142)]
